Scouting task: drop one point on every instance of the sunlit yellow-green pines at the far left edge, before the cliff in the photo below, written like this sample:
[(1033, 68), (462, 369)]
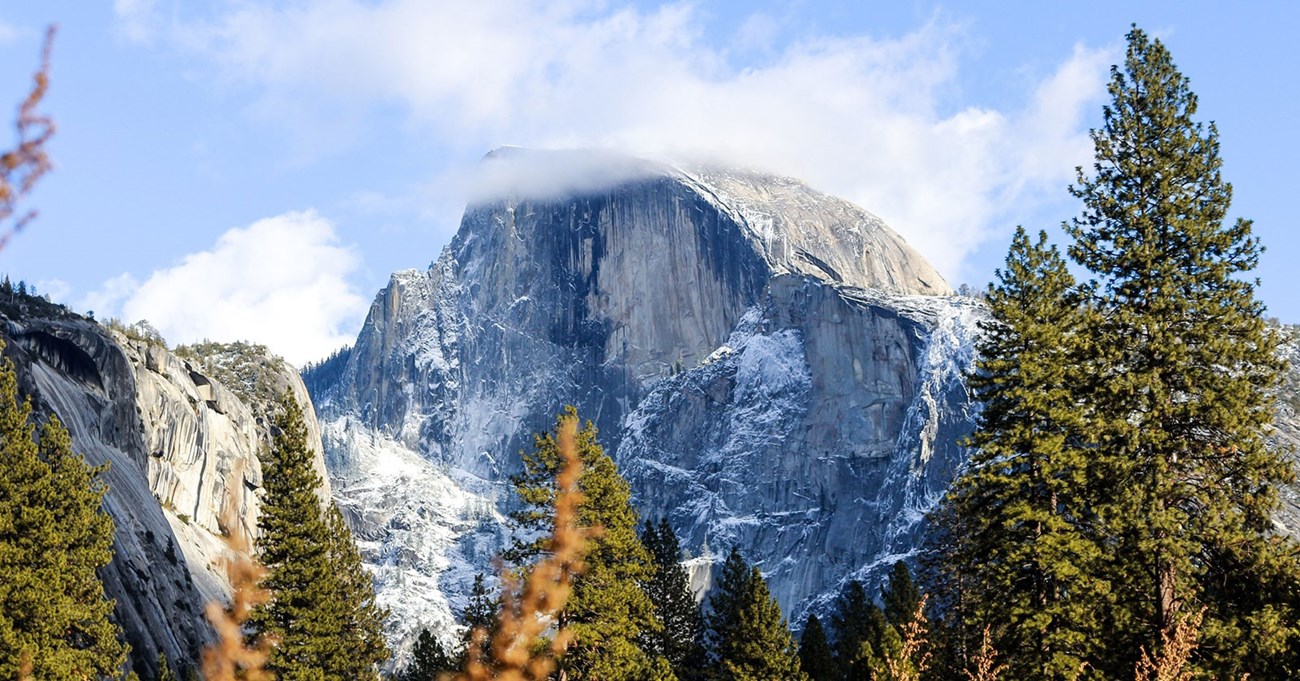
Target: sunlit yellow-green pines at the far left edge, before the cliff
[(54, 537)]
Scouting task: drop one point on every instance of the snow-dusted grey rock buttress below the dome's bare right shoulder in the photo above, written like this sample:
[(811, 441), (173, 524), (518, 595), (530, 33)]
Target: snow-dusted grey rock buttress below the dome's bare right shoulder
[(817, 437)]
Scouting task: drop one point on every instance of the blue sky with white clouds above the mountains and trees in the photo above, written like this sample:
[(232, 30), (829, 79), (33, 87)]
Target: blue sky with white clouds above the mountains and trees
[(257, 170)]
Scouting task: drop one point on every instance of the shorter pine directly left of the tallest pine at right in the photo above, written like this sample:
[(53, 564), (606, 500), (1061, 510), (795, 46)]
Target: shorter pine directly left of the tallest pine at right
[(1020, 519)]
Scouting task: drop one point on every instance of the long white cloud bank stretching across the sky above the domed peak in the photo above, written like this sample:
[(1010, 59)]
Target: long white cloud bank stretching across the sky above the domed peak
[(865, 119)]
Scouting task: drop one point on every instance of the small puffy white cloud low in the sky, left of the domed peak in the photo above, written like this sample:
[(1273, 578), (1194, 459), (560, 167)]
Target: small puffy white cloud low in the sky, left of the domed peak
[(281, 281)]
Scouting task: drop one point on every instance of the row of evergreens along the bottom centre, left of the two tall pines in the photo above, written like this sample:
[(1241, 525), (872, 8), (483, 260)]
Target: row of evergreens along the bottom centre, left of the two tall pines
[(632, 615)]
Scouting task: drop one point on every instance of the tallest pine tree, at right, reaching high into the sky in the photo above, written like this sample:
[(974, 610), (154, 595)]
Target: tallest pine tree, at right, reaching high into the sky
[(1186, 367)]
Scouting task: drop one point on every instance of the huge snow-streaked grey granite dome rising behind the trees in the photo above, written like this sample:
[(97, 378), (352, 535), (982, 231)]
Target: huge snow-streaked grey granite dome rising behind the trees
[(772, 367)]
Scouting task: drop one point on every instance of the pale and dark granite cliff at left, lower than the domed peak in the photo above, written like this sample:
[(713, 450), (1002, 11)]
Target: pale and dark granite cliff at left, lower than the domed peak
[(180, 445)]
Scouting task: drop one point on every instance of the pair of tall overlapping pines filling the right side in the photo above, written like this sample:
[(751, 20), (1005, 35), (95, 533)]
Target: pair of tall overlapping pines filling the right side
[(1123, 484)]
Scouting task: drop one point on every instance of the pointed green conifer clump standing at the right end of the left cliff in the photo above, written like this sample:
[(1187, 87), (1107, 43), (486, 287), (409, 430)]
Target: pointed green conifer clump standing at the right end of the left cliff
[(322, 613)]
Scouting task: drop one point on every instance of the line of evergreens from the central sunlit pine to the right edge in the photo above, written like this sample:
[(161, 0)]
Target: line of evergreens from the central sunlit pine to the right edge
[(1116, 518)]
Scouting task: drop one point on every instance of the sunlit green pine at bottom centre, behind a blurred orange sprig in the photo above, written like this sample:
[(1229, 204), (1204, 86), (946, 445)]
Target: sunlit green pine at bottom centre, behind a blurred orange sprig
[(608, 611)]
